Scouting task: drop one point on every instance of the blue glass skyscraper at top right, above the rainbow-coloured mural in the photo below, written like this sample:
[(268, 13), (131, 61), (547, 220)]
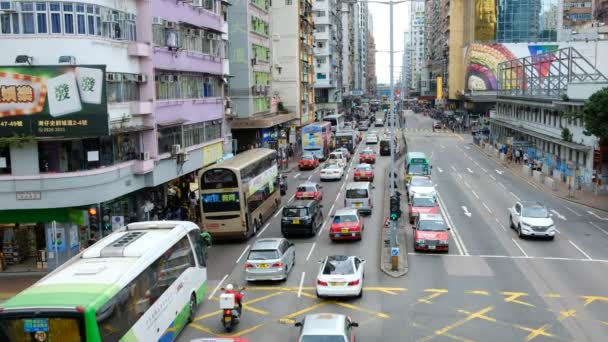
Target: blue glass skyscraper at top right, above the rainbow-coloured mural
[(527, 21)]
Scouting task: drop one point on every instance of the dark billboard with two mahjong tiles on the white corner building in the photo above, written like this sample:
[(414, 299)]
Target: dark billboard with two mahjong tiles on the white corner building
[(54, 100)]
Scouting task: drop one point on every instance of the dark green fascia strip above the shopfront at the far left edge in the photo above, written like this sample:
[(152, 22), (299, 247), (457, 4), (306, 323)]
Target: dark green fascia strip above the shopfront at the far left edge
[(42, 215)]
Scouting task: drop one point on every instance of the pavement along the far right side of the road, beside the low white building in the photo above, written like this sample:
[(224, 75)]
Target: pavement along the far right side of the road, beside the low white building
[(554, 187)]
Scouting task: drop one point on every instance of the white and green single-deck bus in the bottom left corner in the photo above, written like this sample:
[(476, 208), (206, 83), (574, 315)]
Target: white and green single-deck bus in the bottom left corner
[(141, 283)]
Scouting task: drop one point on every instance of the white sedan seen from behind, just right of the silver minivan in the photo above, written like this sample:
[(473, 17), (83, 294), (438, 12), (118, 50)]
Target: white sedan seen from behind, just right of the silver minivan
[(340, 276)]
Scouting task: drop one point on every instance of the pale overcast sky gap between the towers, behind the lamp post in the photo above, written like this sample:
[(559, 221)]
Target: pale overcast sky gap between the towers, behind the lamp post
[(380, 13)]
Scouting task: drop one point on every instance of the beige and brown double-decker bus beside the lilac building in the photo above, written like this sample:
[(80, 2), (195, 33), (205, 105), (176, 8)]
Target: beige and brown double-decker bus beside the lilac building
[(240, 194)]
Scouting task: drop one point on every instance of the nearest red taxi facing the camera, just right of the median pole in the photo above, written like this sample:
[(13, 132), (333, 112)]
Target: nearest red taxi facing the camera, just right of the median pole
[(431, 233)]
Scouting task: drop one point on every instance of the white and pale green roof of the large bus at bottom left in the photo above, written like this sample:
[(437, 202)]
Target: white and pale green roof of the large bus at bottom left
[(99, 272)]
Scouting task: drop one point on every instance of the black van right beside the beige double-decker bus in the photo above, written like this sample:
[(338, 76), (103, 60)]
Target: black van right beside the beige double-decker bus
[(302, 217)]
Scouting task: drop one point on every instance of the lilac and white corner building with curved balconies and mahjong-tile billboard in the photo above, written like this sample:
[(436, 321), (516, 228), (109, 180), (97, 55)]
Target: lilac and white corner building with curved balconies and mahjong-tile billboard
[(135, 107)]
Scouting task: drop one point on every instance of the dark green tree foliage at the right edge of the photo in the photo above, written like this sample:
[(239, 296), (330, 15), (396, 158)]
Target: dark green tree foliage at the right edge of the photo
[(595, 114)]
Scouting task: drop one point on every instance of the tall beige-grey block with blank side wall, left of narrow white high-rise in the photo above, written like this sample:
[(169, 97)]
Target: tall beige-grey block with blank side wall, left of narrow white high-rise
[(293, 58)]
